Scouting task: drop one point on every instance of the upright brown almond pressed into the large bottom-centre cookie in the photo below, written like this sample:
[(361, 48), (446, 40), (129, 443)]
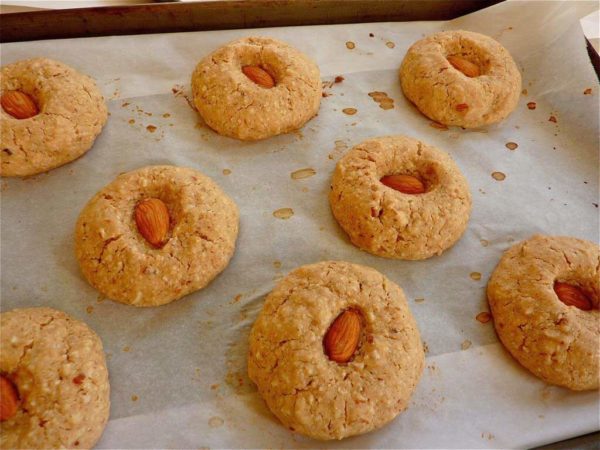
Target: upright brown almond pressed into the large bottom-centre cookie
[(341, 340)]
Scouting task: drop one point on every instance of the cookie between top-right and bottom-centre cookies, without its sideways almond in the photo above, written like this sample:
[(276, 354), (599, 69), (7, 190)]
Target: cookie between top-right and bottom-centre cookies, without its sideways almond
[(390, 223)]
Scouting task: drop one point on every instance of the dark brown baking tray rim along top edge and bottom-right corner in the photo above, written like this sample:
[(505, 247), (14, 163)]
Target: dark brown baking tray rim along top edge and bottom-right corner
[(155, 18)]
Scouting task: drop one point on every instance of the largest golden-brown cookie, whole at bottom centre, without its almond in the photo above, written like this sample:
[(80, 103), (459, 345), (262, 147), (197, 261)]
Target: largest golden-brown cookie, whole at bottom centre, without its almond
[(311, 393)]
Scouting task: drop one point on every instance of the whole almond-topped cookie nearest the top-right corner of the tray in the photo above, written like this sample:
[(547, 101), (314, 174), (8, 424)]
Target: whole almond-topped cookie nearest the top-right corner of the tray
[(486, 94)]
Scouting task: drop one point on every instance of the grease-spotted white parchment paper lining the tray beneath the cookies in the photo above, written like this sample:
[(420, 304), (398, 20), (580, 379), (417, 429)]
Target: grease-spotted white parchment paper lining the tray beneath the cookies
[(178, 372)]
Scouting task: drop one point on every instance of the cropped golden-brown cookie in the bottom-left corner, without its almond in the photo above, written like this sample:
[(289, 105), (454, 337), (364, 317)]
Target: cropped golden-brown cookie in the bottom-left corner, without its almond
[(57, 366)]
